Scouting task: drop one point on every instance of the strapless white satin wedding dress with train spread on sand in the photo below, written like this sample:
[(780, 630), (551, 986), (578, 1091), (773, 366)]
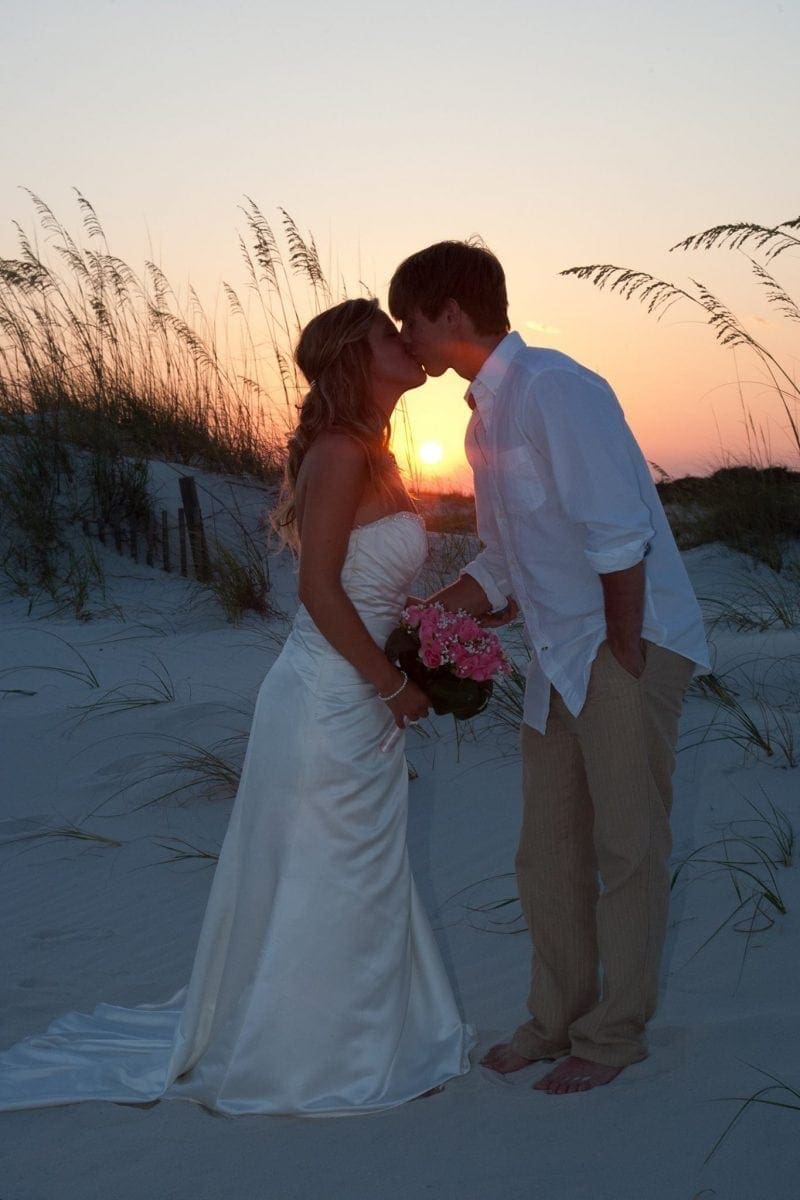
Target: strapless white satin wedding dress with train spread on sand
[(317, 987)]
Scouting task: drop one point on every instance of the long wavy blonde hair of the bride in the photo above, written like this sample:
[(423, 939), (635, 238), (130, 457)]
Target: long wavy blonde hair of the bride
[(335, 357)]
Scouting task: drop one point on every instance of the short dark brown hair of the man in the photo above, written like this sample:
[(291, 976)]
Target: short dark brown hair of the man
[(465, 272)]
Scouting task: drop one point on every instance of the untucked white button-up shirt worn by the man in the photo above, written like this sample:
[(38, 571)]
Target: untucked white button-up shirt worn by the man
[(564, 496)]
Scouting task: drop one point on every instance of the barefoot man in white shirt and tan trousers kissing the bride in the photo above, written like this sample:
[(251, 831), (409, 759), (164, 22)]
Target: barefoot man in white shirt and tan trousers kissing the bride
[(573, 527)]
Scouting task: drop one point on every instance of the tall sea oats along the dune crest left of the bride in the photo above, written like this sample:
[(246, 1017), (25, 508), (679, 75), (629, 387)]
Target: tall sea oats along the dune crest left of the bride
[(97, 350)]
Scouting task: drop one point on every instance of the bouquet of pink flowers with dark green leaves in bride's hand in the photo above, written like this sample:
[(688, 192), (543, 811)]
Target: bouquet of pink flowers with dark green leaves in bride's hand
[(450, 657)]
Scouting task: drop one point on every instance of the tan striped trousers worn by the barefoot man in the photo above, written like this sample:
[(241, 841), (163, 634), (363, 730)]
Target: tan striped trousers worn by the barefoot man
[(597, 802)]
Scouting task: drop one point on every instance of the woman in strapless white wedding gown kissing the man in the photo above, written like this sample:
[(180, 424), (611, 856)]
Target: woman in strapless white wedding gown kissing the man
[(317, 987)]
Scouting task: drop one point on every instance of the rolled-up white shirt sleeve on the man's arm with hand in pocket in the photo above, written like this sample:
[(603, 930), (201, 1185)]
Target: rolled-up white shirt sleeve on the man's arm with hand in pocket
[(581, 428)]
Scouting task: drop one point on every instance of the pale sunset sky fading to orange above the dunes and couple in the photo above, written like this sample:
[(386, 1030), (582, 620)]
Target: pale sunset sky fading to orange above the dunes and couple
[(591, 131)]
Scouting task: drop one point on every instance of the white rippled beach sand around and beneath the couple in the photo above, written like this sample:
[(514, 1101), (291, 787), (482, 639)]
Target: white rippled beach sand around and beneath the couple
[(86, 923)]
